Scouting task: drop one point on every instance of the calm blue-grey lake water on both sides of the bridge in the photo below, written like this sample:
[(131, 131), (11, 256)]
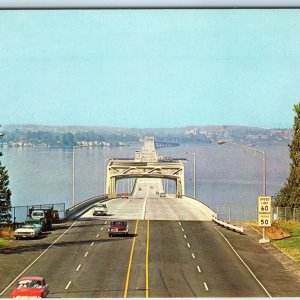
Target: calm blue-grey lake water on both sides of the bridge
[(225, 174)]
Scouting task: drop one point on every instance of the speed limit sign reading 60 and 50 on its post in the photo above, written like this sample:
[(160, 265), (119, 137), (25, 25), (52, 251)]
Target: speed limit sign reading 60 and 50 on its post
[(264, 215)]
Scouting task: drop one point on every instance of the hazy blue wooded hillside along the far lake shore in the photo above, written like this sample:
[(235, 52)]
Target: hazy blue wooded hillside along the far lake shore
[(68, 136)]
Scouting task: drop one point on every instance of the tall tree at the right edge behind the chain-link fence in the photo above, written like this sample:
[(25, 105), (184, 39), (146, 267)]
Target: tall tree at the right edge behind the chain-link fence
[(289, 195)]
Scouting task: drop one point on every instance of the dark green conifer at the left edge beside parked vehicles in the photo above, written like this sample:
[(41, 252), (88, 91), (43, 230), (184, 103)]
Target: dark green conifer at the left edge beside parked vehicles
[(5, 194)]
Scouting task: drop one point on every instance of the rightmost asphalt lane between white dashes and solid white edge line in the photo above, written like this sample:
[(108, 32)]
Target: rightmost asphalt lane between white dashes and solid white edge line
[(221, 269)]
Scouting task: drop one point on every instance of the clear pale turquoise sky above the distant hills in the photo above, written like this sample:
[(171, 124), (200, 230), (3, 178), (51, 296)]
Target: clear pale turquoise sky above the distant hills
[(150, 68)]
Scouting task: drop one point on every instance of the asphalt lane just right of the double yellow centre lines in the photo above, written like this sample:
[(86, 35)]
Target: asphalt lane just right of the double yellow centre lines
[(172, 272)]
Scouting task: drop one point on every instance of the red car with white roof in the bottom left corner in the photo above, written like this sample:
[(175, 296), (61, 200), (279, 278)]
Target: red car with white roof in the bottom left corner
[(27, 287)]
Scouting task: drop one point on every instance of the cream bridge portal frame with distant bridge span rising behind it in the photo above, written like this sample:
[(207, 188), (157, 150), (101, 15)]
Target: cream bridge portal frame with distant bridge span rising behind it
[(148, 167)]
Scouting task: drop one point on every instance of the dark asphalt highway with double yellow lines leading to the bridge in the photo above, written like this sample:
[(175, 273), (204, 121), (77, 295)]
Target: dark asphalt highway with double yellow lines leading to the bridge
[(160, 258)]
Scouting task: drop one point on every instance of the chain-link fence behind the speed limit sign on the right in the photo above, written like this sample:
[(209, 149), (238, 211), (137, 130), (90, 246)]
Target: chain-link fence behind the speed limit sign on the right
[(249, 213)]
